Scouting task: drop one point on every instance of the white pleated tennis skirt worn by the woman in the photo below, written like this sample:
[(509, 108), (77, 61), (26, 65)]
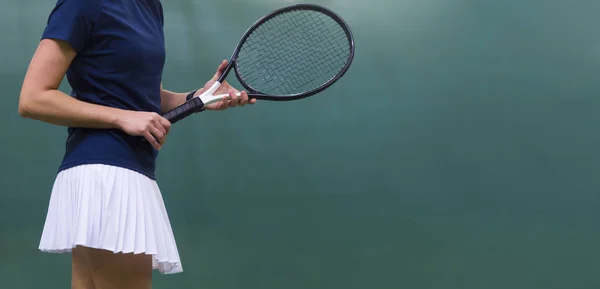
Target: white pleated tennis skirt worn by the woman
[(111, 208)]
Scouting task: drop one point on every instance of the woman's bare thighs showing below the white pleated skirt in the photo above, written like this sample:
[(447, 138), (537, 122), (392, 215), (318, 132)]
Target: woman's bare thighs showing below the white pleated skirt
[(116, 271)]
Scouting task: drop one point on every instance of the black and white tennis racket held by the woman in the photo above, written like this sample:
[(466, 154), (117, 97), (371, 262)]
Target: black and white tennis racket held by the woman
[(292, 53)]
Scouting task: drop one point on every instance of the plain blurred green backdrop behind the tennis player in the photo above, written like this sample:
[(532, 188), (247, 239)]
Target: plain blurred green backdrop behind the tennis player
[(460, 151)]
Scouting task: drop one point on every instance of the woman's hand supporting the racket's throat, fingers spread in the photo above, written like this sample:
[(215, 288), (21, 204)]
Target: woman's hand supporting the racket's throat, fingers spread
[(225, 88)]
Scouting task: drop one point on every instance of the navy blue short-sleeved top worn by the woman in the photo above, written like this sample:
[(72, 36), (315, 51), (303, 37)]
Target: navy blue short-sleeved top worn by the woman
[(120, 57)]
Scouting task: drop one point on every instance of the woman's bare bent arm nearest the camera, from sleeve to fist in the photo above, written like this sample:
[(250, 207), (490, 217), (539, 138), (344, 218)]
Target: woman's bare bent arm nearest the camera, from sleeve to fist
[(40, 99)]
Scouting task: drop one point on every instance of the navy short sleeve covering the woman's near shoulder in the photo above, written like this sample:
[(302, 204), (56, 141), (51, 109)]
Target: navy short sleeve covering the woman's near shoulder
[(72, 21)]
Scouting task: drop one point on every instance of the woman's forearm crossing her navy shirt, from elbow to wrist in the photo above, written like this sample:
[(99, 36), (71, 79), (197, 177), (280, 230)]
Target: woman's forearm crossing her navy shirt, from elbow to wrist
[(56, 107)]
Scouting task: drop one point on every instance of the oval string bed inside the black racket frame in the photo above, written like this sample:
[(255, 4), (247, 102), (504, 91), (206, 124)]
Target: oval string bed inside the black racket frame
[(293, 52)]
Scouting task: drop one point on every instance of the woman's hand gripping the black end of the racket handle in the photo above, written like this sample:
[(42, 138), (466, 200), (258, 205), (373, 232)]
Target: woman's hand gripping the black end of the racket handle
[(150, 125)]
